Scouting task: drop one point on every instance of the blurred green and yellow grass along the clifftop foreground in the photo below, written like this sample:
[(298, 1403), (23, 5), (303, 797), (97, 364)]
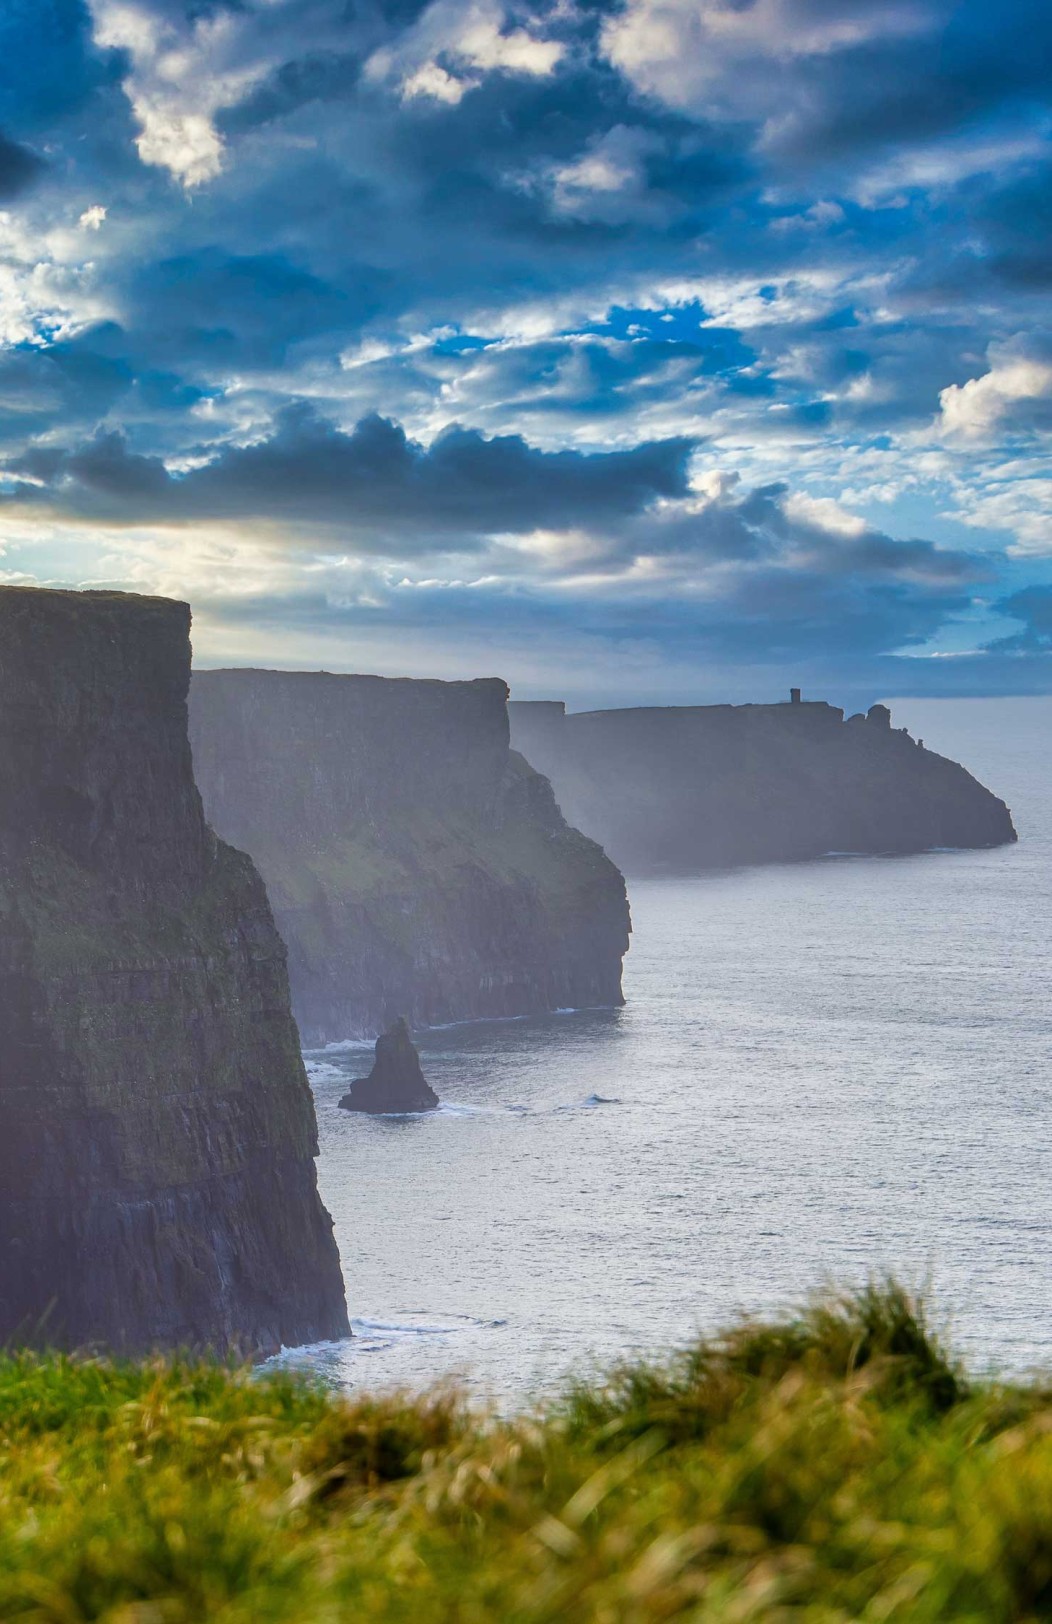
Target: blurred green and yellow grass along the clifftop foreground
[(830, 1467)]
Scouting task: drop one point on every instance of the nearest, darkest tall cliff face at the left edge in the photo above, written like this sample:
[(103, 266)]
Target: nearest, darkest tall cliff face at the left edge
[(157, 1126)]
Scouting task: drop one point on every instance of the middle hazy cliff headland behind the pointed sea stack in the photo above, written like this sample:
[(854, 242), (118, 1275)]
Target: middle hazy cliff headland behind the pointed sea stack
[(416, 865)]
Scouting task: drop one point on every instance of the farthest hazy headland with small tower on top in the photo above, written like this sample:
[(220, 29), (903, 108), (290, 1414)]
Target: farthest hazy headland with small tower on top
[(710, 787)]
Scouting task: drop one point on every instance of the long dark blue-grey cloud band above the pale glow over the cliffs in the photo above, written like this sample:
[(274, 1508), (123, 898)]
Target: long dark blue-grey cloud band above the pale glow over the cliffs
[(373, 482)]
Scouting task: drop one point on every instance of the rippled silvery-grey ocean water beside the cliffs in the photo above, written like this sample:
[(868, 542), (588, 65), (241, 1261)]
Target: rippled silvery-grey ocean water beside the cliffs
[(824, 1071)]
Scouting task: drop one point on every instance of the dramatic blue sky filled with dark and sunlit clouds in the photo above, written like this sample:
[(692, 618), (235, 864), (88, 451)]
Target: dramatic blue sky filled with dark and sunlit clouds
[(649, 352)]
